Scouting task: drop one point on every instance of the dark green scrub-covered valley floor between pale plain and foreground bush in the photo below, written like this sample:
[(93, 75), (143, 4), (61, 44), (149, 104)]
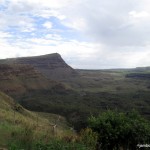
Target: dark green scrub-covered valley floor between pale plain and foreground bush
[(77, 107)]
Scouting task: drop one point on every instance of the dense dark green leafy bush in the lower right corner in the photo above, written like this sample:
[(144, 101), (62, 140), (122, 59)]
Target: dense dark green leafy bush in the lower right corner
[(120, 130)]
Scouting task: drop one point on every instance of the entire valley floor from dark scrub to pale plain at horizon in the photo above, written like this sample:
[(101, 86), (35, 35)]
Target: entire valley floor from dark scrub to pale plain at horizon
[(94, 92)]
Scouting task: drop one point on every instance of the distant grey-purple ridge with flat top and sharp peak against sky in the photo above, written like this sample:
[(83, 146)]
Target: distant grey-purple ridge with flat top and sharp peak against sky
[(52, 65)]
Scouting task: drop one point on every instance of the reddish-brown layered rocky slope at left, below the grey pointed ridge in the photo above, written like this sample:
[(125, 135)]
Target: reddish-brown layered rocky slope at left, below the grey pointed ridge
[(18, 79)]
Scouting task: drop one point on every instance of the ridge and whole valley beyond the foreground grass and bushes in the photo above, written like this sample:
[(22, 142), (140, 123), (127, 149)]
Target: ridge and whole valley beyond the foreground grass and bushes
[(75, 94)]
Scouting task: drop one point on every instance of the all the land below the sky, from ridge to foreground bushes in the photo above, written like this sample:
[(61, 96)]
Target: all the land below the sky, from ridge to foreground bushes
[(76, 95)]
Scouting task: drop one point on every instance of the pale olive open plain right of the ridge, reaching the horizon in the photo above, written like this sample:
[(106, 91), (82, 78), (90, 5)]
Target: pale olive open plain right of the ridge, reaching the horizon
[(109, 81)]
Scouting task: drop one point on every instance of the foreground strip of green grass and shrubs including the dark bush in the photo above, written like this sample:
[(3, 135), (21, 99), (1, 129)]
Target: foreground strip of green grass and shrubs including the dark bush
[(111, 130)]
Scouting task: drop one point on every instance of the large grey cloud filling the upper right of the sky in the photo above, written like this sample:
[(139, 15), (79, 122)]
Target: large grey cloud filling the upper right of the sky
[(109, 22)]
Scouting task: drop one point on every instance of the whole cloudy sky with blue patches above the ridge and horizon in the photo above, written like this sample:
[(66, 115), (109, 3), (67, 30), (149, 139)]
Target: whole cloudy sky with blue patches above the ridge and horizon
[(88, 34)]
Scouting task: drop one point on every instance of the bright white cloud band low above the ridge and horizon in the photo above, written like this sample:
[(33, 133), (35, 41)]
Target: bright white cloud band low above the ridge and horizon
[(79, 54)]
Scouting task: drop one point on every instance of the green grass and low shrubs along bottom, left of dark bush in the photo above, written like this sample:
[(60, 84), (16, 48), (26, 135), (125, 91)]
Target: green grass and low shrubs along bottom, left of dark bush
[(25, 138)]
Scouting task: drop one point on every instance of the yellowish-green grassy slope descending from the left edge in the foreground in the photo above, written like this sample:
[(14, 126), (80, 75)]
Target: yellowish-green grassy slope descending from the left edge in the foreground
[(13, 117)]
